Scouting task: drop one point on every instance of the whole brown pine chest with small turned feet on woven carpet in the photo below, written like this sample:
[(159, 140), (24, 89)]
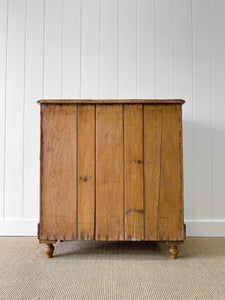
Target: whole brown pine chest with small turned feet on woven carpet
[(111, 170)]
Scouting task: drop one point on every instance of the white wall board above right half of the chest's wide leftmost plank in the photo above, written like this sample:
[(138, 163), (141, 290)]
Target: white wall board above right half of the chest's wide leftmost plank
[(71, 49)]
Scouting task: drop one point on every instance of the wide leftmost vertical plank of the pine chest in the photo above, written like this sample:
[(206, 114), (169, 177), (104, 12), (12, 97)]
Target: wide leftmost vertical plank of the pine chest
[(59, 172)]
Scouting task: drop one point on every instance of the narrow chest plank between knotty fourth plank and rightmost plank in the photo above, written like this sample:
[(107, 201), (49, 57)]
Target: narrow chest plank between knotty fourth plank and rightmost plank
[(152, 170)]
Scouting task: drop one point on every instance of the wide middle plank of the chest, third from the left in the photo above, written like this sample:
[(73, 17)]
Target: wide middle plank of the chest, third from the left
[(109, 172)]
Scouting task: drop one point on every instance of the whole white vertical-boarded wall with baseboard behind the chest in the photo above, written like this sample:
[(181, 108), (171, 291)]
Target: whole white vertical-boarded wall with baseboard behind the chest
[(113, 49)]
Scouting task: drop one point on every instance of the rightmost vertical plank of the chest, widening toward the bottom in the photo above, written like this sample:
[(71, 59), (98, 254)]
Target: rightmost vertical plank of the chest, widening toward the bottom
[(170, 217)]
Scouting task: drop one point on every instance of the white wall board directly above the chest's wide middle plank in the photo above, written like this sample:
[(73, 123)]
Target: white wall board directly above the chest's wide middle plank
[(108, 49)]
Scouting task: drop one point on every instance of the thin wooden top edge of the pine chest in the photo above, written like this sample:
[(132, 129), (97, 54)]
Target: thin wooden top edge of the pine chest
[(111, 101)]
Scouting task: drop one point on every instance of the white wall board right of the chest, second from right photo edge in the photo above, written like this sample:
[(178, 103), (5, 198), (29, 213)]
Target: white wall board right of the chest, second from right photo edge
[(202, 110)]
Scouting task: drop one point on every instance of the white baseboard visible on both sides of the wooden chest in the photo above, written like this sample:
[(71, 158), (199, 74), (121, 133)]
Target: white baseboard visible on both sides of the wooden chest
[(201, 228)]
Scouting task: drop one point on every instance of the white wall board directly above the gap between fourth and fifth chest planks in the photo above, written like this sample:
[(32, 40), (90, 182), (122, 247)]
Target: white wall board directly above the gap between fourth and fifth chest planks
[(145, 49)]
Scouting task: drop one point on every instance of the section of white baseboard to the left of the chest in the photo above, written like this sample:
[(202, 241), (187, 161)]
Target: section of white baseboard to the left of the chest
[(27, 227)]
